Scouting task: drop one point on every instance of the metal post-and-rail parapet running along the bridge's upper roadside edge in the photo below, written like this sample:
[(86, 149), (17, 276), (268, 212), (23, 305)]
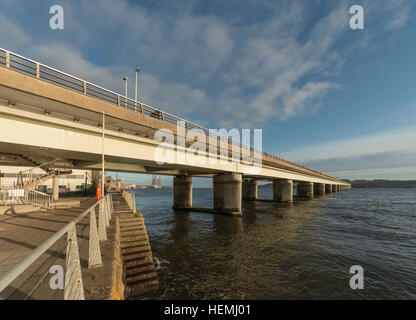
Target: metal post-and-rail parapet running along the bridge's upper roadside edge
[(30, 67)]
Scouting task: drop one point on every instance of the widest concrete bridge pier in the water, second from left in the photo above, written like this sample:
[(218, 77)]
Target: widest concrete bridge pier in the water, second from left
[(228, 193)]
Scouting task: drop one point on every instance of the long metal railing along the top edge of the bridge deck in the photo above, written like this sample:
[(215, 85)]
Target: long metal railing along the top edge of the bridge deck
[(125, 102)]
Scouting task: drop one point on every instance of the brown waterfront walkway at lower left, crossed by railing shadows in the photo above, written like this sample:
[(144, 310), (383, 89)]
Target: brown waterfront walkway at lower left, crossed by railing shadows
[(21, 233)]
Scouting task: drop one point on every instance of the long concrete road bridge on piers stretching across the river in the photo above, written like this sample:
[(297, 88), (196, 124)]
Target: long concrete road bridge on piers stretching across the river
[(47, 115)]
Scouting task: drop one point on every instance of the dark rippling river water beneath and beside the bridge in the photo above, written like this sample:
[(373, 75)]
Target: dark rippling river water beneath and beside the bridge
[(278, 251)]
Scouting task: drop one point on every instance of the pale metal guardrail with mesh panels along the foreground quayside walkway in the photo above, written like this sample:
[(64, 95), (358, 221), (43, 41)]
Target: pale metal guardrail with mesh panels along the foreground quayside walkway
[(73, 289)]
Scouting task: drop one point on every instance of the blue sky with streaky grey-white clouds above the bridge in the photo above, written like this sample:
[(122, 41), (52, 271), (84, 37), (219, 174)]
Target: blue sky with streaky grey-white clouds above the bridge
[(337, 100)]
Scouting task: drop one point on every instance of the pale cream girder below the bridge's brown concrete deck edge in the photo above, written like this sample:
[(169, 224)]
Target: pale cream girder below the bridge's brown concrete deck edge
[(38, 137)]
